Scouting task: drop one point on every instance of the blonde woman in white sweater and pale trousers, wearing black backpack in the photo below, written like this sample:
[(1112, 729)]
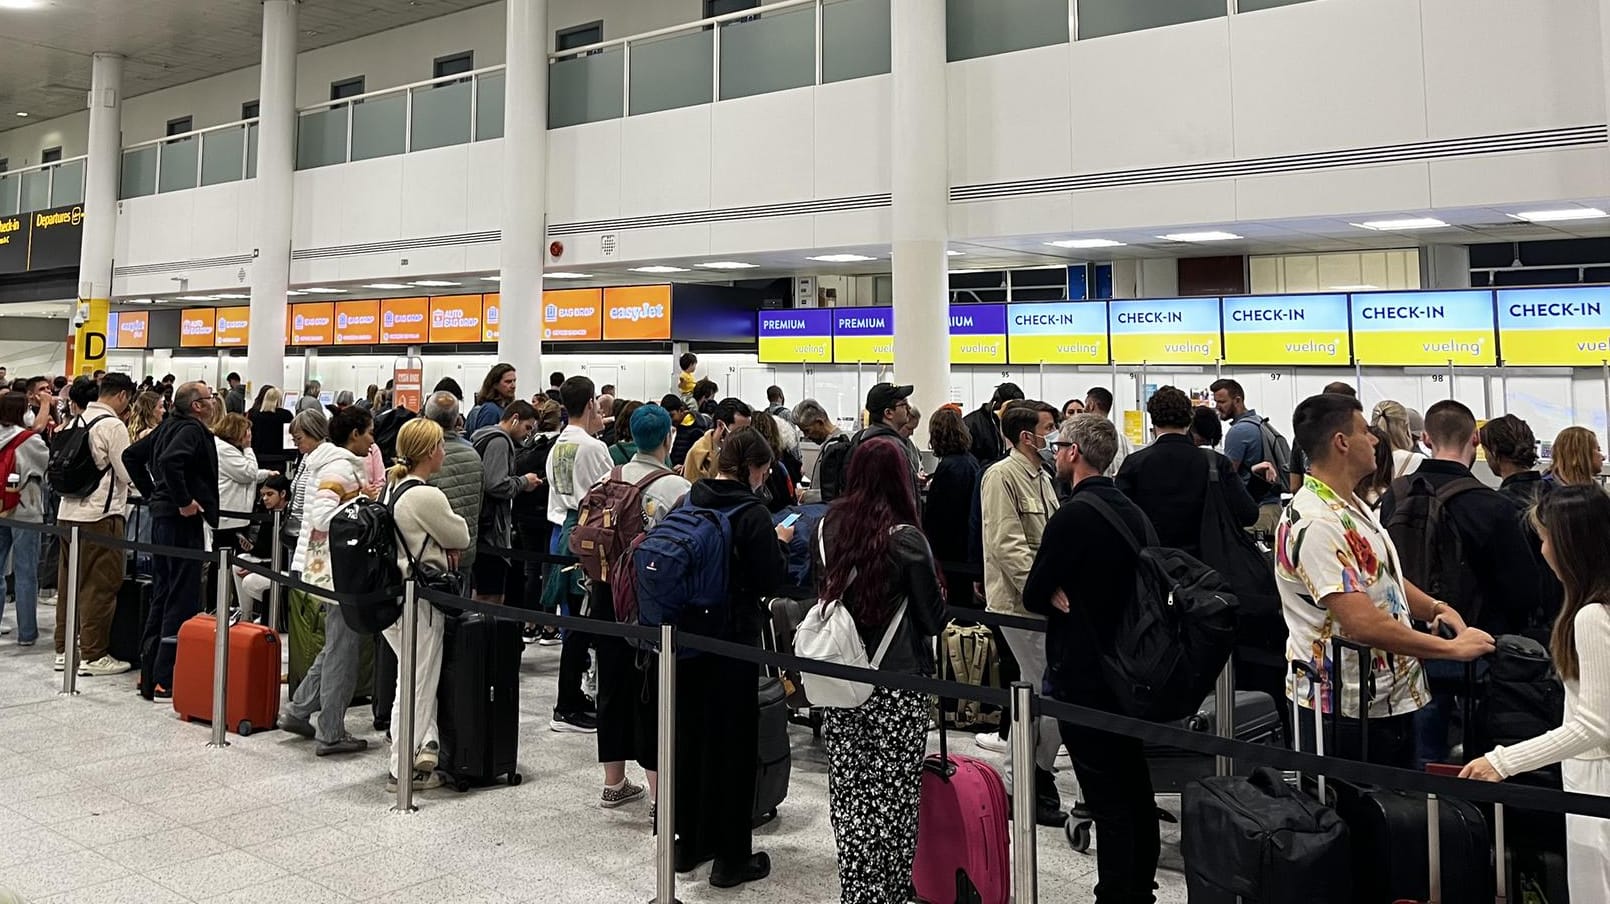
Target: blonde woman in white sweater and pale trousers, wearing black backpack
[(431, 534)]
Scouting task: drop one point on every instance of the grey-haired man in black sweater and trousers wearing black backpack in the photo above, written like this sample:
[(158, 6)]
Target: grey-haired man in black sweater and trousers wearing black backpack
[(1083, 581)]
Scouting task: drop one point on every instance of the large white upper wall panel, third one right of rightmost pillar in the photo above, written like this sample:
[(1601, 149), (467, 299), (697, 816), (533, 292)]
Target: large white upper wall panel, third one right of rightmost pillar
[(1334, 75)]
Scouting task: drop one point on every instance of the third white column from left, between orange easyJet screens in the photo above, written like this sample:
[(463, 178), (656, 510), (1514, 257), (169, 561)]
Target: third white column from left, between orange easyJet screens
[(526, 193)]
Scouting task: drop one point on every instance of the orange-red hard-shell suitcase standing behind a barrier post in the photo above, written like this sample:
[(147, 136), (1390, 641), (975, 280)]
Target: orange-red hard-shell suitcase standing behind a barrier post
[(254, 674)]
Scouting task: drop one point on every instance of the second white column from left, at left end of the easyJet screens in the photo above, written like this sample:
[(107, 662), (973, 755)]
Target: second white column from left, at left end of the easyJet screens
[(271, 270)]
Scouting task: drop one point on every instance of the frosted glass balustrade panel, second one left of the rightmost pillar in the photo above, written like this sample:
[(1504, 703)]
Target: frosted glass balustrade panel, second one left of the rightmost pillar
[(769, 54)]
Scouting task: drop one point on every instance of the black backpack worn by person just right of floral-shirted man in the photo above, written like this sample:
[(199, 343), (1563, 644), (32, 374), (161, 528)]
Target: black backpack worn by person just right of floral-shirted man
[(1429, 544)]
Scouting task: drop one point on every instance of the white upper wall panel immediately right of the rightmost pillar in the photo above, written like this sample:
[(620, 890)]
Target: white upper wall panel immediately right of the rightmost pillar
[(1010, 117)]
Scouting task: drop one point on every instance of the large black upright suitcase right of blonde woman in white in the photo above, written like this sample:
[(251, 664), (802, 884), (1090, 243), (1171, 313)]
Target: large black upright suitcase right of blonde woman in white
[(479, 700)]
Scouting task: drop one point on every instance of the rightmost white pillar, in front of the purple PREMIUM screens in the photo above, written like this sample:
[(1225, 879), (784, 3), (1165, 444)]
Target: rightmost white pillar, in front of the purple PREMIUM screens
[(922, 204)]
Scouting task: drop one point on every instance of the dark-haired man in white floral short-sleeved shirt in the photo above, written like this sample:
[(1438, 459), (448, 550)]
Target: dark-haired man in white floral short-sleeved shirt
[(1339, 576)]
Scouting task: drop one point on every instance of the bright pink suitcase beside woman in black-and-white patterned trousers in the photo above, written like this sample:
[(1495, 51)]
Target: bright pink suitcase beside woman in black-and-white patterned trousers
[(962, 840)]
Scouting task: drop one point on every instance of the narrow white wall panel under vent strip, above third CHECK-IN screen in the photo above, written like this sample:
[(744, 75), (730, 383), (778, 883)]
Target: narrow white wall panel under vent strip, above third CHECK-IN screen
[(1366, 189)]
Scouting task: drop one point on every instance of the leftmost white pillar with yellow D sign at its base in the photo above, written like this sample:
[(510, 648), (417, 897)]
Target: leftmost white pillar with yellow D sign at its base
[(101, 215)]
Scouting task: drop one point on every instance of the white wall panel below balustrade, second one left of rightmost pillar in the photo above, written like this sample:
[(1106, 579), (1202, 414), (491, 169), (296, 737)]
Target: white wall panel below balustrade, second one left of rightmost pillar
[(759, 149)]
